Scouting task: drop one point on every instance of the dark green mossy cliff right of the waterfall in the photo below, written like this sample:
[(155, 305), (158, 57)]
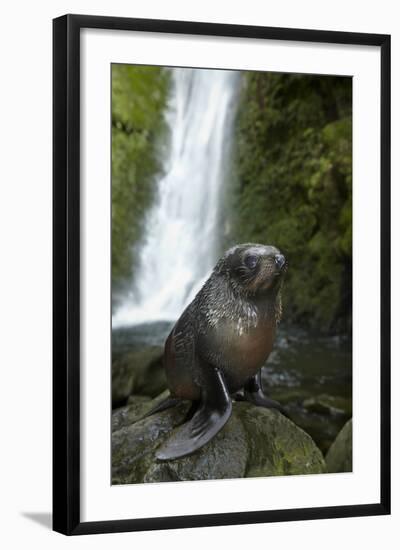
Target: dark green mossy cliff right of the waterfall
[(292, 187)]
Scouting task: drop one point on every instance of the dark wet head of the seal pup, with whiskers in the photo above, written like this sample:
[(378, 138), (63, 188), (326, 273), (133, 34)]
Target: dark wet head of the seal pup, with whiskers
[(253, 268)]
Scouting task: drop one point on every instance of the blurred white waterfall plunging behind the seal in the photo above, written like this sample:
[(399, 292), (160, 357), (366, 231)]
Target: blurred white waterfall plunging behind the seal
[(180, 245)]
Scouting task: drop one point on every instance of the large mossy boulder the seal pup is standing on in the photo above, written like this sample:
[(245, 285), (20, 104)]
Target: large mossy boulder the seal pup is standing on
[(255, 442)]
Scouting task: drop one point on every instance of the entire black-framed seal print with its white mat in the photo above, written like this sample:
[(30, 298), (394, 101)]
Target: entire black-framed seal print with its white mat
[(221, 274)]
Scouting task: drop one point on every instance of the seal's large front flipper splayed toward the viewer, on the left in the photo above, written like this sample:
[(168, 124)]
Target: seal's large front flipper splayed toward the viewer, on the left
[(215, 410)]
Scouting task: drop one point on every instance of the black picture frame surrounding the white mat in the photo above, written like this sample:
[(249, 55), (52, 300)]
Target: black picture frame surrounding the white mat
[(66, 273)]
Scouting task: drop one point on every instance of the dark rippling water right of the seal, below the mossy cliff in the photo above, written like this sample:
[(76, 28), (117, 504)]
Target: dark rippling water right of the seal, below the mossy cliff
[(312, 376)]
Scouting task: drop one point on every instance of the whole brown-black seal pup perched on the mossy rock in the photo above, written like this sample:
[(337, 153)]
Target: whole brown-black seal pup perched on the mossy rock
[(220, 342)]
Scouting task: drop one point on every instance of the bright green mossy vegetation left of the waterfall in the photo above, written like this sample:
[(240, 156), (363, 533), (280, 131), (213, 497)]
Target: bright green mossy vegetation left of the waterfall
[(139, 96)]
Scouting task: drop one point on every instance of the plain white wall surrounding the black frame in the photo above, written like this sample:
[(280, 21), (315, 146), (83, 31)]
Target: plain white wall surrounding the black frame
[(25, 288)]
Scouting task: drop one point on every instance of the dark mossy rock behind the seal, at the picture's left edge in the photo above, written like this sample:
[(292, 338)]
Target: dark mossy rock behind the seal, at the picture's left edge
[(139, 371)]
